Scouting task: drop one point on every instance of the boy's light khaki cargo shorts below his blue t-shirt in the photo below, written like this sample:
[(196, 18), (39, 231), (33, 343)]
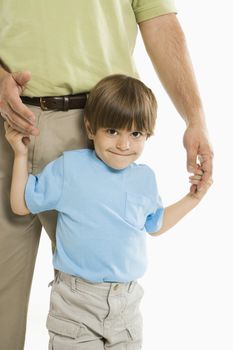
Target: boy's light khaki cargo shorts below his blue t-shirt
[(94, 316)]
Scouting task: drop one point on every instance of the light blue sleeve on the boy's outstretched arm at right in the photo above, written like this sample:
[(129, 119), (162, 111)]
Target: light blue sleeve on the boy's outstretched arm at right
[(154, 220)]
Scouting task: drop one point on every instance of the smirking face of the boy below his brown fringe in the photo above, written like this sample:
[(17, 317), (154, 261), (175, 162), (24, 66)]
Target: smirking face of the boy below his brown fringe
[(116, 147)]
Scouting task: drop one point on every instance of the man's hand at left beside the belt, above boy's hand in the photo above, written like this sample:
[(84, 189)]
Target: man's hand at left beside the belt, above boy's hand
[(18, 116)]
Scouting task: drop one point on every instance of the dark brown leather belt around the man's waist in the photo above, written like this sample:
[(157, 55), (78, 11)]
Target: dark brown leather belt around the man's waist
[(59, 103)]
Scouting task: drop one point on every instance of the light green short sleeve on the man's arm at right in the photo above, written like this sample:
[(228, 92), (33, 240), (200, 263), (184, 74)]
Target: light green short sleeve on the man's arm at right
[(147, 9)]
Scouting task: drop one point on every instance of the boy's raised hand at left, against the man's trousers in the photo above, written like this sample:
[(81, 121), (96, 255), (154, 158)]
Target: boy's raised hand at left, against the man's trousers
[(19, 142)]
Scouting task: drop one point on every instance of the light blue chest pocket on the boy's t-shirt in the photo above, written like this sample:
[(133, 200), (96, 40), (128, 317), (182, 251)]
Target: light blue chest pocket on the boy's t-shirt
[(136, 209)]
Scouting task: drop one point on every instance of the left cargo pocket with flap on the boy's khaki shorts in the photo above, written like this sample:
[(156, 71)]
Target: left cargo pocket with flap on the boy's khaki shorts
[(62, 333)]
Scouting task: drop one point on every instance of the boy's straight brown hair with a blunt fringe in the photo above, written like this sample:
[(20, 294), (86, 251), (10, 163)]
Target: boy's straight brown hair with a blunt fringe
[(121, 102)]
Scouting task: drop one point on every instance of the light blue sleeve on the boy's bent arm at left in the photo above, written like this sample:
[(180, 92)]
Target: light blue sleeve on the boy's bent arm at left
[(43, 191)]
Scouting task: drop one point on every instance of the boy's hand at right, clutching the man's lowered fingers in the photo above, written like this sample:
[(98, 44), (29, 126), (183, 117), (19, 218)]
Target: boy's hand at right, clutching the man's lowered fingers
[(196, 180)]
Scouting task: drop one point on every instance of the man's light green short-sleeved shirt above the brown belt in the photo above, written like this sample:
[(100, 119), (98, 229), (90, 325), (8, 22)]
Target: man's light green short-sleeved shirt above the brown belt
[(68, 46)]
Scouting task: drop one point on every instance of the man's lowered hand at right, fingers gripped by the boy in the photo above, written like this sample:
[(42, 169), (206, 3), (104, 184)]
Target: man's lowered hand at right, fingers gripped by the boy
[(198, 146)]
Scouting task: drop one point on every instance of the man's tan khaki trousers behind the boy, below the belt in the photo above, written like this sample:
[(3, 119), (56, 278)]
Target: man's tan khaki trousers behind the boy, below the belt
[(20, 235)]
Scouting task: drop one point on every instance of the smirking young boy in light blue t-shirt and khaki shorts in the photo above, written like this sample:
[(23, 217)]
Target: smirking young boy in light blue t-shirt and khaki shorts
[(106, 203)]
